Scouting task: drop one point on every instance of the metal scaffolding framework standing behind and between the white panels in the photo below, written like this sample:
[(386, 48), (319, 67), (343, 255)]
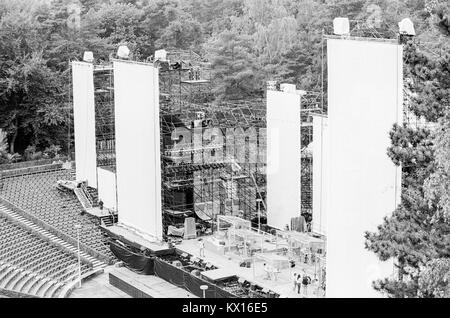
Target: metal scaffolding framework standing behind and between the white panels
[(226, 186)]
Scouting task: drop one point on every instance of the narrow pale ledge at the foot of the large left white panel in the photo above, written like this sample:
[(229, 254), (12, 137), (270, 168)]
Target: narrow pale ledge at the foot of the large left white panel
[(127, 235)]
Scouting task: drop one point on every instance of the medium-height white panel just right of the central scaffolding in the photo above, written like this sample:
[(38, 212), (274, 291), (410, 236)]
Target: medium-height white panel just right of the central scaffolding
[(283, 158)]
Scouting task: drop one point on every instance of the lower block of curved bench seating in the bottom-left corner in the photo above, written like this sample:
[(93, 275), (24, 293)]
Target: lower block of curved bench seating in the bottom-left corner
[(32, 265)]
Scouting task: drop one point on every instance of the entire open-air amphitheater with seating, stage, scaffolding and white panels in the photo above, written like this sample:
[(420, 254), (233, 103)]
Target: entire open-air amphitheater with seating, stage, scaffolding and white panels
[(168, 195)]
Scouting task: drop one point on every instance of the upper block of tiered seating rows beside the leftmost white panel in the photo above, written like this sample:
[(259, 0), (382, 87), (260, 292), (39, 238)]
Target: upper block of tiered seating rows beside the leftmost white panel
[(36, 193)]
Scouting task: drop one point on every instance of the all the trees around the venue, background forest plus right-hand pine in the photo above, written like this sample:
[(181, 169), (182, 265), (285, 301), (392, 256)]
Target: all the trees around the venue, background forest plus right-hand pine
[(247, 43)]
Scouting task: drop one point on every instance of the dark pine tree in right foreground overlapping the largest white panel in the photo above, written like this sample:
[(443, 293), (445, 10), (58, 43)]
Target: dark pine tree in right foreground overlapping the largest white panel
[(417, 234)]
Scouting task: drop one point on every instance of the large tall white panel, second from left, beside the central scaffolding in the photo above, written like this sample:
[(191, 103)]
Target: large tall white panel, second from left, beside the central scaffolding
[(136, 94)]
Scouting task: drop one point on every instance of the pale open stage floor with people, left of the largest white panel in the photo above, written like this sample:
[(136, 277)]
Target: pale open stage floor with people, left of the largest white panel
[(282, 284)]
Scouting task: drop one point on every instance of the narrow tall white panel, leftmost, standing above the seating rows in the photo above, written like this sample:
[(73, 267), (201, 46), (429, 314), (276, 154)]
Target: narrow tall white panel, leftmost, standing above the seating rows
[(84, 122)]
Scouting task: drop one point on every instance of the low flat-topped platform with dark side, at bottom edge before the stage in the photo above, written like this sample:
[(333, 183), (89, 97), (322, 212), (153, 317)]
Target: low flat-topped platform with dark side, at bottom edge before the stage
[(145, 286)]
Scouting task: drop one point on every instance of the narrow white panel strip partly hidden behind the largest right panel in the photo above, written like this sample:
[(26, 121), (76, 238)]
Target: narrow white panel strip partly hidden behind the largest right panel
[(320, 175)]
